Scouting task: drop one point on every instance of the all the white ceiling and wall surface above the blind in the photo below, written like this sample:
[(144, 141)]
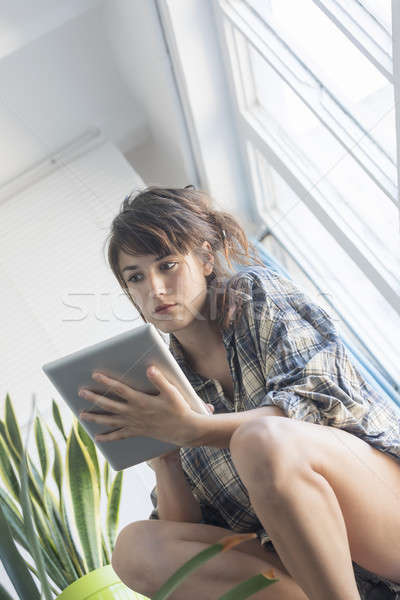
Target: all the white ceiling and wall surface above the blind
[(70, 65)]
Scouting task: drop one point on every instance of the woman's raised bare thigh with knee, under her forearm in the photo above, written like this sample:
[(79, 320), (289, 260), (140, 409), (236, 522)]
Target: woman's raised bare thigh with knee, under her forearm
[(365, 480)]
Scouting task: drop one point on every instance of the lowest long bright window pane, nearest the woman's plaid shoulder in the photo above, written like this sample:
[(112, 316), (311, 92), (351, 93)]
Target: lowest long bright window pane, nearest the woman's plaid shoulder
[(320, 254)]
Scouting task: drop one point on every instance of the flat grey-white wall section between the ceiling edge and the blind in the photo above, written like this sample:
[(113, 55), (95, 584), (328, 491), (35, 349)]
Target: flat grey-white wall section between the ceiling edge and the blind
[(56, 87)]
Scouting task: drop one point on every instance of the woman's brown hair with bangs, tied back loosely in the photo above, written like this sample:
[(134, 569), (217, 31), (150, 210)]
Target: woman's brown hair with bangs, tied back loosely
[(162, 221)]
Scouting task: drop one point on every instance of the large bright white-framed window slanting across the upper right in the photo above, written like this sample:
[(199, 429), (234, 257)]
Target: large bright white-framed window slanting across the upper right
[(314, 91)]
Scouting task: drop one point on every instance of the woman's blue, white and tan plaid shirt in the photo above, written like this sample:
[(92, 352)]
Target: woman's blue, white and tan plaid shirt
[(286, 352)]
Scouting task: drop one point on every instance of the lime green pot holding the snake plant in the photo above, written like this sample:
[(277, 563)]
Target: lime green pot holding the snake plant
[(100, 584)]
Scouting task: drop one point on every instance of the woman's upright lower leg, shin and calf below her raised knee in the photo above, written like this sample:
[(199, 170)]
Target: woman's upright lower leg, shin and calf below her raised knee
[(306, 525)]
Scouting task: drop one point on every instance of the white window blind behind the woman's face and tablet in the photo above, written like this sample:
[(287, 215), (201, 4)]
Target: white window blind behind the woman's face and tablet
[(58, 294)]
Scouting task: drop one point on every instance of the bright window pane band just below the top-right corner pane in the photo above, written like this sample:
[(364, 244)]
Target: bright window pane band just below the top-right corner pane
[(341, 67)]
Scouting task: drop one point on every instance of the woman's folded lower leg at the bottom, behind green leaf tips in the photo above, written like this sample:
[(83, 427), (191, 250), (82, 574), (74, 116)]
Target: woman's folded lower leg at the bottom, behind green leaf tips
[(160, 557)]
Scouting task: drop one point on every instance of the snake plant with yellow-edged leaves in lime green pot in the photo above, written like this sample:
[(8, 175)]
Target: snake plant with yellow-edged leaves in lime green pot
[(73, 565)]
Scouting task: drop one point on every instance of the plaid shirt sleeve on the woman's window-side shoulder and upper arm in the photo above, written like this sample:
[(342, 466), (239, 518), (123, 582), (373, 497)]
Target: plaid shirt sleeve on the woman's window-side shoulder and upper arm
[(307, 371)]
